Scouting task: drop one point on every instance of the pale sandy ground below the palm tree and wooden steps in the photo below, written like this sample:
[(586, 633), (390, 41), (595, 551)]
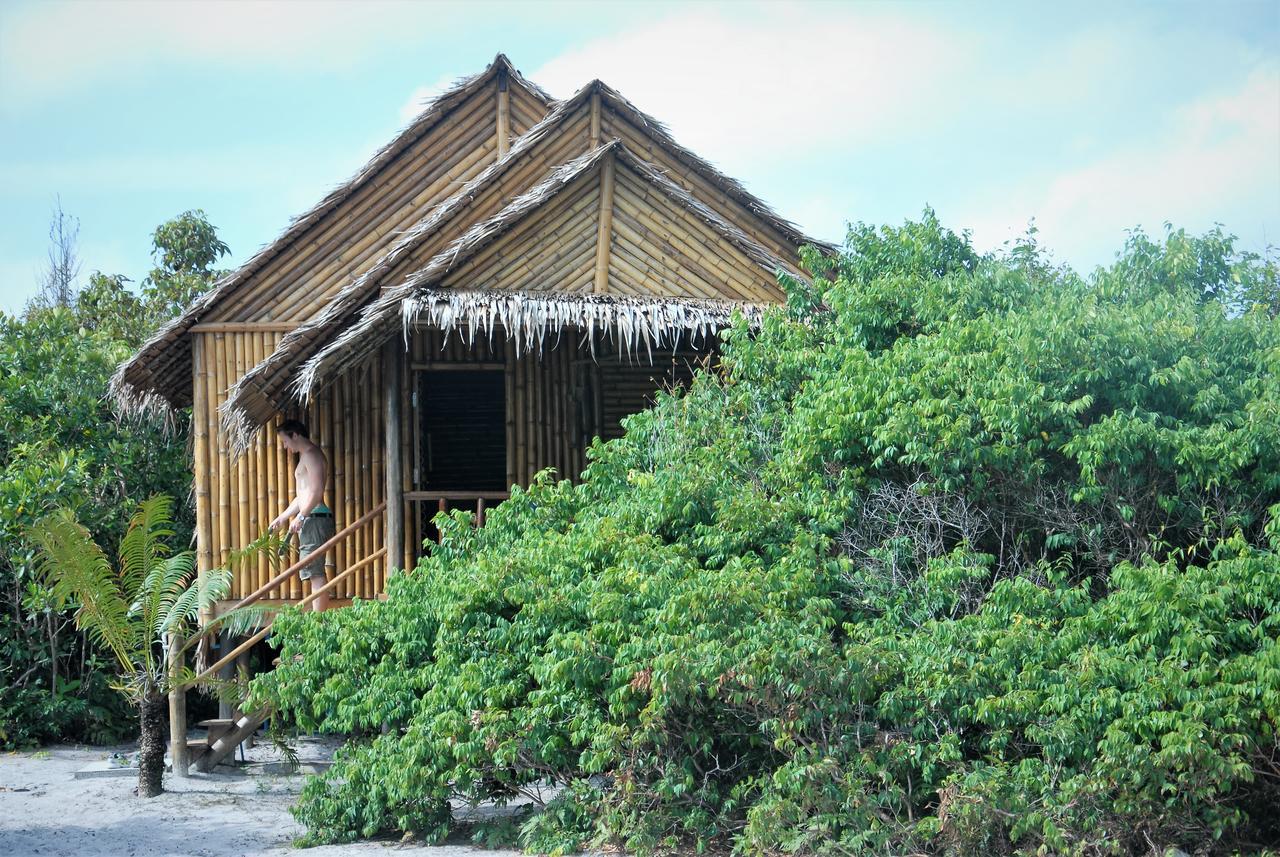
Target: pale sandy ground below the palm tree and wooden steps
[(45, 812)]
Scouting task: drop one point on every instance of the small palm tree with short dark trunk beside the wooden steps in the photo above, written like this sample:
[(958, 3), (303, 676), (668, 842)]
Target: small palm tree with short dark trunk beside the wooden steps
[(132, 611)]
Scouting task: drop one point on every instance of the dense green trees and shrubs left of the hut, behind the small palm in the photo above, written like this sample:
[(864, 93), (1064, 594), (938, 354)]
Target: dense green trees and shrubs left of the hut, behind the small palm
[(62, 447)]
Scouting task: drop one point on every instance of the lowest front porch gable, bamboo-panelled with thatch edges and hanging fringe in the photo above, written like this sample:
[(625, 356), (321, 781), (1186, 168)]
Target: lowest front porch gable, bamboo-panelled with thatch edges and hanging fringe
[(702, 267)]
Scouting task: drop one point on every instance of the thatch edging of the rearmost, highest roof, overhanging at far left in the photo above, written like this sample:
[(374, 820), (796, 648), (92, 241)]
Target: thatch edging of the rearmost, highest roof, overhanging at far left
[(159, 377)]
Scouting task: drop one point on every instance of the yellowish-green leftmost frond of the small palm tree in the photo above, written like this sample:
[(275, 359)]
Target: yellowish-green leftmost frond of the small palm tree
[(76, 569)]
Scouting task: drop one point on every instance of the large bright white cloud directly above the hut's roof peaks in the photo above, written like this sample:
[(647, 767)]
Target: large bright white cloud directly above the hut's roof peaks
[(738, 84)]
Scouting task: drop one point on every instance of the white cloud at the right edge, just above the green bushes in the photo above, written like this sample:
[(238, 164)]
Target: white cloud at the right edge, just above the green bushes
[(1217, 162)]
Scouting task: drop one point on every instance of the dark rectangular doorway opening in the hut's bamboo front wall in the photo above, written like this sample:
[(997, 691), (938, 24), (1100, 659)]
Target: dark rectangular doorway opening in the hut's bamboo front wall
[(464, 432)]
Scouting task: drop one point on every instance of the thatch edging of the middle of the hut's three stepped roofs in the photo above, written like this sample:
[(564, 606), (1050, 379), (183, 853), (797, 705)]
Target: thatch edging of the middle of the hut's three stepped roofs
[(266, 386)]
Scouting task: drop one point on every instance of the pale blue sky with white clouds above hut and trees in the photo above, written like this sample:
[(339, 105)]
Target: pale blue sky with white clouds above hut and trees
[(1089, 118)]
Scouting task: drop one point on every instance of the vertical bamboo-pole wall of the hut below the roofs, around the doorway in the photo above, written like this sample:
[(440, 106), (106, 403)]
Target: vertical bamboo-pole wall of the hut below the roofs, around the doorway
[(556, 404)]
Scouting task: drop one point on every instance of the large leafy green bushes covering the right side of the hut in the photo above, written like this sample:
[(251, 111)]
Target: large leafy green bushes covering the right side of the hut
[(961, 554)]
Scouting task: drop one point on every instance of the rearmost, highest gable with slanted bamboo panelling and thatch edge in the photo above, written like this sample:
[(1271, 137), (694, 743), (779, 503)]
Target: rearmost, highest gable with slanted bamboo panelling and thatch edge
[(161, 375)]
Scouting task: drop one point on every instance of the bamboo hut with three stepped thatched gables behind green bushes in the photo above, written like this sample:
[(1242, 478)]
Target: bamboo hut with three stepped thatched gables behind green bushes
[(501, 285)]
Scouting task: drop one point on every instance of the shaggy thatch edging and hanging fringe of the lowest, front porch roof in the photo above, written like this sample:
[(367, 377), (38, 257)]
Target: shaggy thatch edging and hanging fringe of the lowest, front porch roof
[(636, 322)]
